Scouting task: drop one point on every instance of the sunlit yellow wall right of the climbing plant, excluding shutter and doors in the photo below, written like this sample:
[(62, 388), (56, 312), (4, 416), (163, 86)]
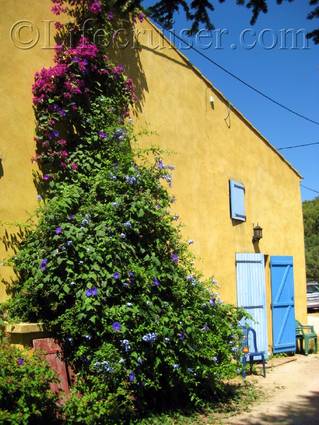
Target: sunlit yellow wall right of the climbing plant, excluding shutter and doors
[(209, 146)]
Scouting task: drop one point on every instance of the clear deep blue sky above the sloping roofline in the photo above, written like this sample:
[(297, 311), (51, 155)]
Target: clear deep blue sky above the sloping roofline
[(289, 75)]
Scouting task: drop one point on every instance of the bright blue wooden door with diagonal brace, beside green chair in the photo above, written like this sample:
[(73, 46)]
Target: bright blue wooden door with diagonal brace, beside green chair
[(283, 307)]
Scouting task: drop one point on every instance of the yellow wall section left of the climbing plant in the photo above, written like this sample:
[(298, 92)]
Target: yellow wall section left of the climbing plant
[(18, 63)]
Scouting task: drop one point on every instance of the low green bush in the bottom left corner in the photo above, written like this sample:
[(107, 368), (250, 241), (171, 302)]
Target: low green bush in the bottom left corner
[(25, 395)]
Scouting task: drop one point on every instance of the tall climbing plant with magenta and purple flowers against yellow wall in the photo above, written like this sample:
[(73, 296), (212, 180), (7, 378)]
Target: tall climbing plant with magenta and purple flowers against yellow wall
[(105, 267)]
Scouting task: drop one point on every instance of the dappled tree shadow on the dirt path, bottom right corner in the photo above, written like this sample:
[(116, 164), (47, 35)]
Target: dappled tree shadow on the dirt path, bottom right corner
[(304, 411)]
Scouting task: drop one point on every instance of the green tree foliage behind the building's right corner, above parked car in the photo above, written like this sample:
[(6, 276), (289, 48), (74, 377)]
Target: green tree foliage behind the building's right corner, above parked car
[(311, 224)]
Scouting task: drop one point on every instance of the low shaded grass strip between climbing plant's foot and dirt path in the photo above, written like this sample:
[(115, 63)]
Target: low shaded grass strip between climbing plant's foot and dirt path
[(235, 399)]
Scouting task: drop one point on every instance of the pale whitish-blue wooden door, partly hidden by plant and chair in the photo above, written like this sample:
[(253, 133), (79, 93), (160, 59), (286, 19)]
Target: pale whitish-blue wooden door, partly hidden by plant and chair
[(251, 294)]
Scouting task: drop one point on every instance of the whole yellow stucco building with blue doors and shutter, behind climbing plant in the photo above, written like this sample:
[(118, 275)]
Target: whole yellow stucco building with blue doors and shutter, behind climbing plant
[(228, 177)]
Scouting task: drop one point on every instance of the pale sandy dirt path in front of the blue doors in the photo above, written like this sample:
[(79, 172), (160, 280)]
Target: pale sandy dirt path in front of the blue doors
[(292, 392)]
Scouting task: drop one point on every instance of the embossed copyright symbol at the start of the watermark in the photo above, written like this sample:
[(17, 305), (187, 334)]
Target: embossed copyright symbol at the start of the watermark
[(24, 35)]
